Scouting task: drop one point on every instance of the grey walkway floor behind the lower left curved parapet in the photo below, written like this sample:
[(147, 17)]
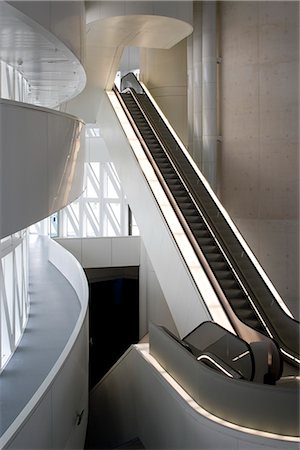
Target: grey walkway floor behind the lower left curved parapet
[(54, 304)]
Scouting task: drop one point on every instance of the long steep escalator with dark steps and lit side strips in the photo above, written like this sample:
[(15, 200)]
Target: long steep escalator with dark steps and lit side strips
[(246, 297)]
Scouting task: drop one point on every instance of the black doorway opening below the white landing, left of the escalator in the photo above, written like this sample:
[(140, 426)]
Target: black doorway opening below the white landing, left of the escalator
[(114, 316)]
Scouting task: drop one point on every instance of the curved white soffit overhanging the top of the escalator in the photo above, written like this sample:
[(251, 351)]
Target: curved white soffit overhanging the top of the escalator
[(107, 38)]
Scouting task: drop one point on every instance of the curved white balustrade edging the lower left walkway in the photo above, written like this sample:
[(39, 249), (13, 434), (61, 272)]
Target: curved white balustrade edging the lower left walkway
[(63, 394)]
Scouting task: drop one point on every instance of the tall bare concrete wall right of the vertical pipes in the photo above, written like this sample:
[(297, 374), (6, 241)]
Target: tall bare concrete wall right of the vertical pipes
[(259, 120)]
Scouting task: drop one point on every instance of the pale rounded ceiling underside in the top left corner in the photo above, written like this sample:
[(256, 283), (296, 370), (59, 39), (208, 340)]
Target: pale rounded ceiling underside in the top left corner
[(54, 73)]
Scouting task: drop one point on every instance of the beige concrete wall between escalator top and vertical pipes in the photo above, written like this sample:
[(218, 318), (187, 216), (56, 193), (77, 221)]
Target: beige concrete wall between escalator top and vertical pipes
[(164, 72)]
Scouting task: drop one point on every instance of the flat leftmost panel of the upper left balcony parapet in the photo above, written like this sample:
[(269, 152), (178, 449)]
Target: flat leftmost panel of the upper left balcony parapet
[(23, 167)]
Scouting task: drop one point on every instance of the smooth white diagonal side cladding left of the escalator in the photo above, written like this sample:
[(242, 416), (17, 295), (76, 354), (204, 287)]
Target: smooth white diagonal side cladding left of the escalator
[(180, 291)]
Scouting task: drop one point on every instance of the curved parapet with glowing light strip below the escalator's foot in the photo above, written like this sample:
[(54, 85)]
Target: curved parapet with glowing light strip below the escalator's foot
[(149, 403)]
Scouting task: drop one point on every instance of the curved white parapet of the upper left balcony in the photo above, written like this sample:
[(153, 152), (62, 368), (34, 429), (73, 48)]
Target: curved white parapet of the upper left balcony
[(42, 162)]
